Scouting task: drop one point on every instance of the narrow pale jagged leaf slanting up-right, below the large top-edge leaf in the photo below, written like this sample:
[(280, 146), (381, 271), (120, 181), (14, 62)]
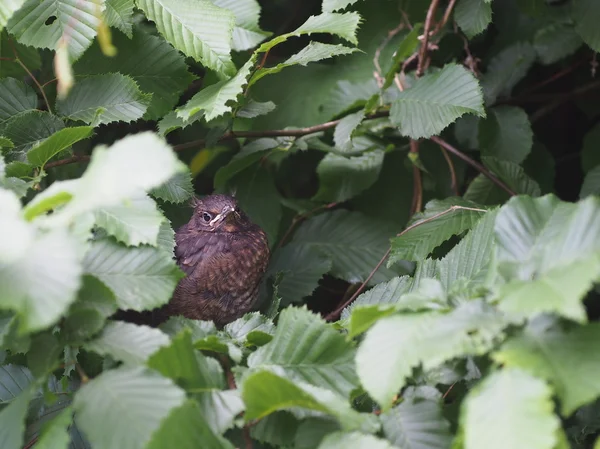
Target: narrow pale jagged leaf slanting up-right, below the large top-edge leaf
[(215, 99)]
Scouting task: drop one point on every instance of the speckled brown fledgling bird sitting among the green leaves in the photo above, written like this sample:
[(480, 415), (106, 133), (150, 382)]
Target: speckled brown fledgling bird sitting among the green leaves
[(224, 256)]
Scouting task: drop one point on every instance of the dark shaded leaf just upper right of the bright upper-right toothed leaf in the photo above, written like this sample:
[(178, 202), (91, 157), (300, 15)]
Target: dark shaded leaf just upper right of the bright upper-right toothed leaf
[(506, 69)]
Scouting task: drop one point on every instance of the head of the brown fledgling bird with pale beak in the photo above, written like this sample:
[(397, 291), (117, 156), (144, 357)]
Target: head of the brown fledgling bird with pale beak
[(218, 213)]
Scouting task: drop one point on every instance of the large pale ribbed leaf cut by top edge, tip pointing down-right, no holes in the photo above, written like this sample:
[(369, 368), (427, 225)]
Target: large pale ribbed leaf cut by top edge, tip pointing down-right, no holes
[(197, 28)]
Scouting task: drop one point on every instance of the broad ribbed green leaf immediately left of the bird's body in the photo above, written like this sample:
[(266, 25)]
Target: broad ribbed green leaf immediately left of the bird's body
[(141, 278)]
